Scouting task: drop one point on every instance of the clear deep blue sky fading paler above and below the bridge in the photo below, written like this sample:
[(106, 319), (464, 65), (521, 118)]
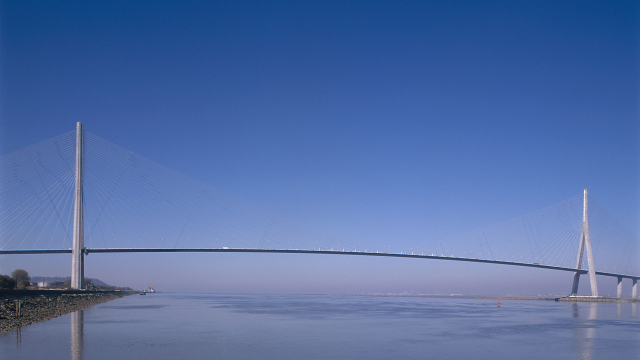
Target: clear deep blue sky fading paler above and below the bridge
[(375, 121)]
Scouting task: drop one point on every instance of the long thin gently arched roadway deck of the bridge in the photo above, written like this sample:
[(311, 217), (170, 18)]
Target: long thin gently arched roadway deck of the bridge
[(327, 252)]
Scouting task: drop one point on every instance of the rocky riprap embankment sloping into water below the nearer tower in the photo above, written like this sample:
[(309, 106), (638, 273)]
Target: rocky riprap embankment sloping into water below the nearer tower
[(22, 308)]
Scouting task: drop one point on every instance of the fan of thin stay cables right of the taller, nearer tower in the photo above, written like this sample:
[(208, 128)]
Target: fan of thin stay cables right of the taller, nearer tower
[(133, 202)]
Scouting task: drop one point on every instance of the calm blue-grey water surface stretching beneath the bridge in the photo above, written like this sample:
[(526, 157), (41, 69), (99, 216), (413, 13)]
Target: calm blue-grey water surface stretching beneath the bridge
[(199, 326)]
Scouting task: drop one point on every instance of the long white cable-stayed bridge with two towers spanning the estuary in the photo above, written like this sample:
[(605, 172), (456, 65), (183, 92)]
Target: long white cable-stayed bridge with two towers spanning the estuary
[(80, 194)]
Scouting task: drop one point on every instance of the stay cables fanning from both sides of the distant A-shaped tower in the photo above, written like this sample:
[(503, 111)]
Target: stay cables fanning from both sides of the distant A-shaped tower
[(548, 236)]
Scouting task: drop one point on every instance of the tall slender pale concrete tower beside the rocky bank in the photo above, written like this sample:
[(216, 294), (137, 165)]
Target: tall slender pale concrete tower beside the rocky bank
[(77, 255)]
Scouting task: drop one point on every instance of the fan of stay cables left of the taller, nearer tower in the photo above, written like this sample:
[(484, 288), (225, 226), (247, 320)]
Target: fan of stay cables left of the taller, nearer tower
[(36, 195)]
